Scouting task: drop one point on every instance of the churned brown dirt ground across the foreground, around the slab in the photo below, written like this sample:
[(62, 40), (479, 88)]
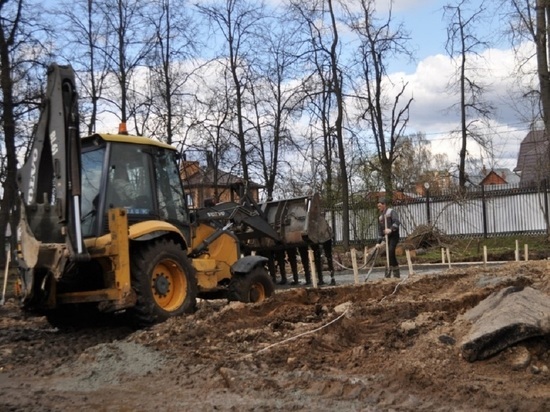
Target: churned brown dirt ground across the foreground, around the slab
[(387, 345)]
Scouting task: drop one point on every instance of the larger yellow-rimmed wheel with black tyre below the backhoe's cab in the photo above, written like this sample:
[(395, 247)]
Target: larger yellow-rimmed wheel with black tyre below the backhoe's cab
[(164, 282)]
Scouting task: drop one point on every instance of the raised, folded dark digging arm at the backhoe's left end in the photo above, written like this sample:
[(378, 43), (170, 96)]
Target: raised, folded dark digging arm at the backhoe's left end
[(50, 179)]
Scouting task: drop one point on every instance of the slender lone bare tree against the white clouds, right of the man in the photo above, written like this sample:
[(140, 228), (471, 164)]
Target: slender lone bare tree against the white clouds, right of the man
[(462, 44)]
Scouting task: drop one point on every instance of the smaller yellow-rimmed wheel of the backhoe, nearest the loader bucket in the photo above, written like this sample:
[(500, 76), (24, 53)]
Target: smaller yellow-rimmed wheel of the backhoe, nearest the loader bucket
[(252, 287)]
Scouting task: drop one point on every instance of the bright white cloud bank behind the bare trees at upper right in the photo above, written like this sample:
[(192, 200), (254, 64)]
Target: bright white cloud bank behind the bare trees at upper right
[(432, 111)]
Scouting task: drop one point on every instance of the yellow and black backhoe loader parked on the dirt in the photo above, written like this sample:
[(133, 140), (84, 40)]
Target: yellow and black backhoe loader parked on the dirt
[(105, 226)]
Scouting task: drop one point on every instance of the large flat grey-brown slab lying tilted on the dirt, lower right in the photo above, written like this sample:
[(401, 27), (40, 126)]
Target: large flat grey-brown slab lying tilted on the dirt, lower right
[(503, 319)]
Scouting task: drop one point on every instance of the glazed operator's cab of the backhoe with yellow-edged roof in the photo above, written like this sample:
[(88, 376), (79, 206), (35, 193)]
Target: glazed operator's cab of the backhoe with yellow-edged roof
[(130, 172)]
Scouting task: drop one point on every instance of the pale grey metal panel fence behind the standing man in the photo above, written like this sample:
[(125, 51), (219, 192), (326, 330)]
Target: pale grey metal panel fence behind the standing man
[(485, 211)]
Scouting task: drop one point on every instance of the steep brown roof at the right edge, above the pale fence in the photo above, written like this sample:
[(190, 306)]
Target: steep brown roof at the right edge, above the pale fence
[(533, 161)]
